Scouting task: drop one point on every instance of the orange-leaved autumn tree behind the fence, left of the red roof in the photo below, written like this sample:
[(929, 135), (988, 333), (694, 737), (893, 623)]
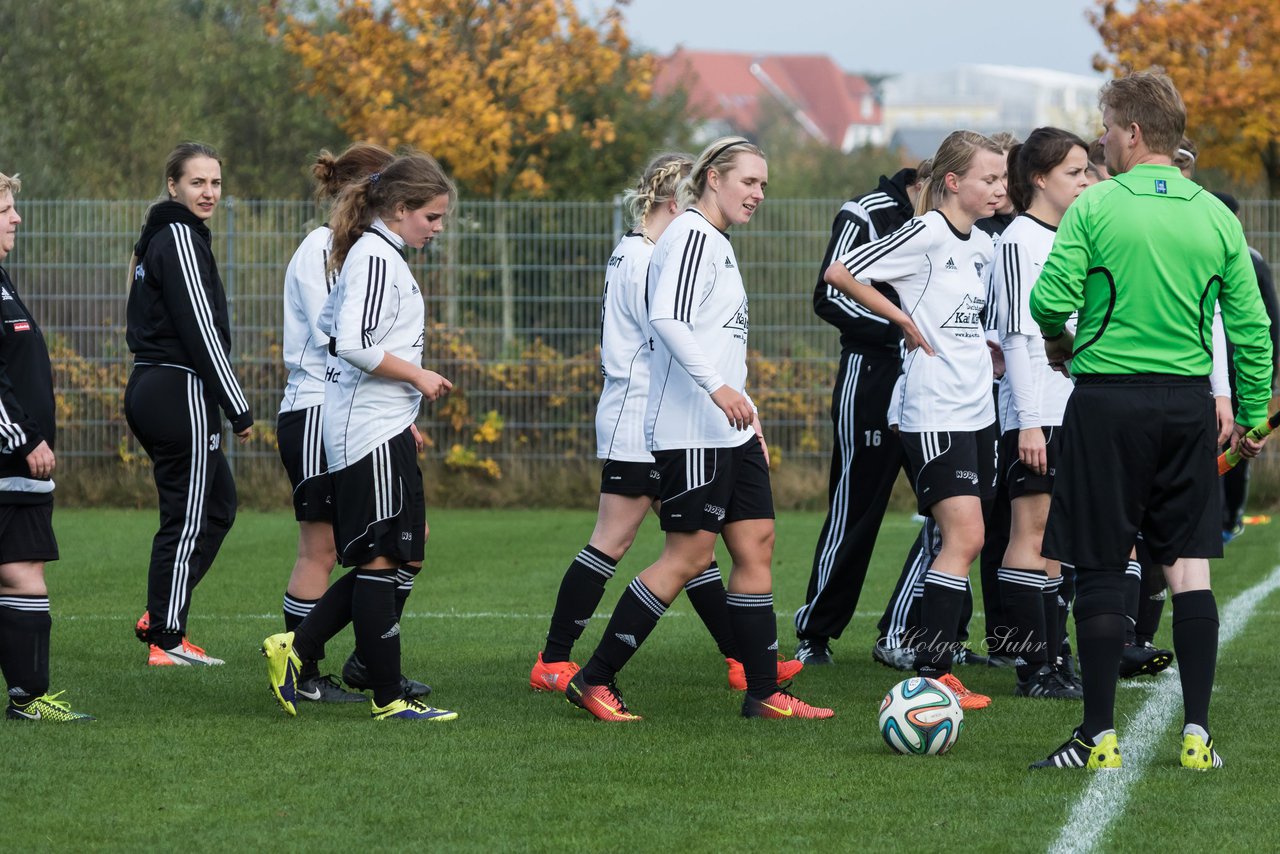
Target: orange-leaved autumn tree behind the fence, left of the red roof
[(483, 85)]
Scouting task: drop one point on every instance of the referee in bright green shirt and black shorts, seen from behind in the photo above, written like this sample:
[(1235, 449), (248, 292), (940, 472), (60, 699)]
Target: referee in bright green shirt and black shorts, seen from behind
[(1144, 258)]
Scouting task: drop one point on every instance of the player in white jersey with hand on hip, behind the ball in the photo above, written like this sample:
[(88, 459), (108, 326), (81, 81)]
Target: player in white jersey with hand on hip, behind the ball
[(948, 422)]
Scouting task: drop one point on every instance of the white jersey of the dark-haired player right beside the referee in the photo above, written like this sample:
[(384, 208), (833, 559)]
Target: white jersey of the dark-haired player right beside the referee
[(1032, 394)]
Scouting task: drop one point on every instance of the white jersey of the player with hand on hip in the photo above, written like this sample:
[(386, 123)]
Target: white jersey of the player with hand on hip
[(939, 276)]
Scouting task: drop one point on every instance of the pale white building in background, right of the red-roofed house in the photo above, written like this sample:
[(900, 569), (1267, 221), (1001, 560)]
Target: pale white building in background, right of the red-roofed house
[(921, 108)]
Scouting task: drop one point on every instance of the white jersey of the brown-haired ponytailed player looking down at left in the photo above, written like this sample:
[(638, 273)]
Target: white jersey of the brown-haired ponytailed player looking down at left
[(376, 304)]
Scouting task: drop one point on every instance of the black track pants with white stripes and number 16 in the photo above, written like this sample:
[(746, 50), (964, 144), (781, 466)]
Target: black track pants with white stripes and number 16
[(865, 465)]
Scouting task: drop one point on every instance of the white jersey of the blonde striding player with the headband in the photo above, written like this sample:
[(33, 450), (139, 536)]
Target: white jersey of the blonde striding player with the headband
[(694, 278)]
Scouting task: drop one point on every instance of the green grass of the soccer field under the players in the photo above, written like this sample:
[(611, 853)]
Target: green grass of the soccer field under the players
[(203, 760)]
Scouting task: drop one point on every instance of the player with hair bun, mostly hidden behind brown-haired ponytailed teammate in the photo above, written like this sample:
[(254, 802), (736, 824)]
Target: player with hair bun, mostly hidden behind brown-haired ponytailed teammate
[(299, 426)]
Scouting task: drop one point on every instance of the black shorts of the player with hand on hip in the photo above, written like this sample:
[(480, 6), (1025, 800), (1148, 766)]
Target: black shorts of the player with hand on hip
[(949, 464)]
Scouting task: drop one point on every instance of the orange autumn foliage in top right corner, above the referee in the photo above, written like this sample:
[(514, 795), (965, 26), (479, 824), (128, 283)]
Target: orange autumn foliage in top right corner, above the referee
[(1224, 57)]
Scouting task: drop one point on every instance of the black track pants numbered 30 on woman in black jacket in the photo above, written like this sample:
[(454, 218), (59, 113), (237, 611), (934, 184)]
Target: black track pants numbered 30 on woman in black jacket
[(181, 431)]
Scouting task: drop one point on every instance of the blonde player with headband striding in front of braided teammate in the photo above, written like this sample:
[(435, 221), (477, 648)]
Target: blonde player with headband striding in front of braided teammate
[(705, 436)]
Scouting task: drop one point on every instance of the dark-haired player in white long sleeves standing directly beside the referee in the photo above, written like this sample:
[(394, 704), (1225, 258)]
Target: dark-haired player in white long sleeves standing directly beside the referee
[(1045, 177)]
